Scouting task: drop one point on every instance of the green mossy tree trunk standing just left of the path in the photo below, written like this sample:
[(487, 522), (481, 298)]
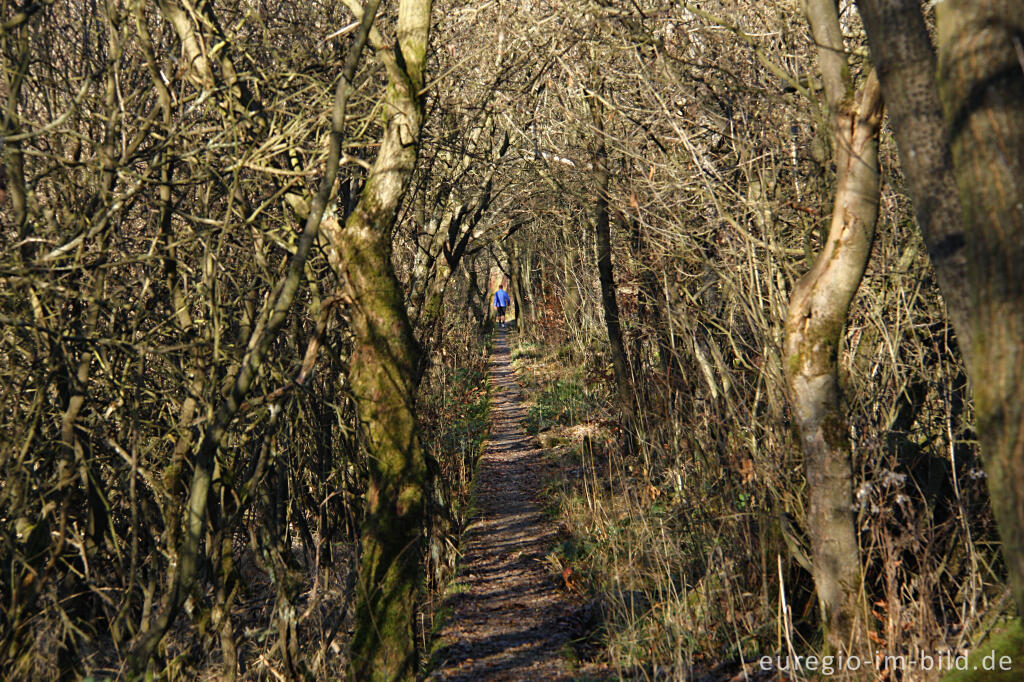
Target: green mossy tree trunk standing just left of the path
[(385, 363)]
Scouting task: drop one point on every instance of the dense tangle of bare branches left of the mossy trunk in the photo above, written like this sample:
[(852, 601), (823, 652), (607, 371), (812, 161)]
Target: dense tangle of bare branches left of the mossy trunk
[(149, 219)]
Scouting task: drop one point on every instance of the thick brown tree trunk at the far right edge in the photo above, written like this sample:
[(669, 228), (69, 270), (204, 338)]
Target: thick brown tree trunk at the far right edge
[(982, 83)]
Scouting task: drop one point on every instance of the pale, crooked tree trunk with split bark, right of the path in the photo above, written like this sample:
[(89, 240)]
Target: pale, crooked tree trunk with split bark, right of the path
[(816, 319)]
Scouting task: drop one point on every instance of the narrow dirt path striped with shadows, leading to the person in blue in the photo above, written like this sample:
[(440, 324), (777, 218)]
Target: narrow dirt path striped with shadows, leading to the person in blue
[(508, 619)]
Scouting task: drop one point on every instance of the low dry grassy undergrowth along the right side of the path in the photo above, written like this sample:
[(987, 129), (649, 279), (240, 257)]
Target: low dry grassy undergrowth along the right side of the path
[(690, 553)]
